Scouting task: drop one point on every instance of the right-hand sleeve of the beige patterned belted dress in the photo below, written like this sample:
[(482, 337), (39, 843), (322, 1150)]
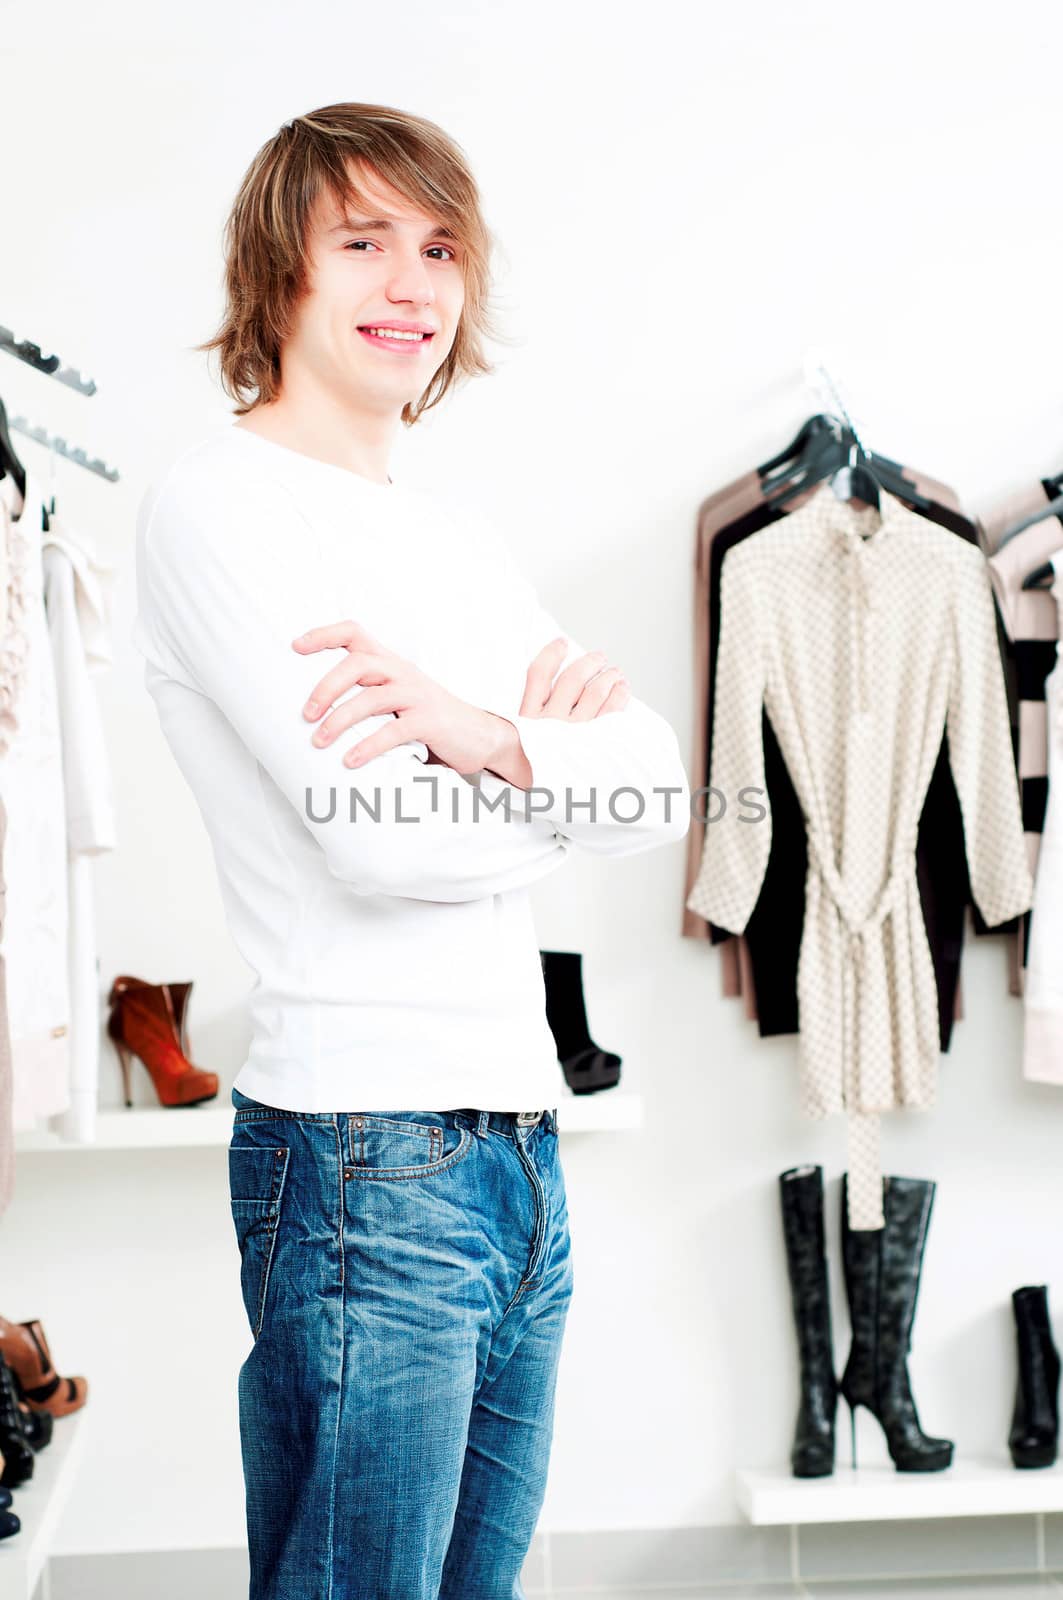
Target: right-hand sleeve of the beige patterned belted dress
[(981, 753)]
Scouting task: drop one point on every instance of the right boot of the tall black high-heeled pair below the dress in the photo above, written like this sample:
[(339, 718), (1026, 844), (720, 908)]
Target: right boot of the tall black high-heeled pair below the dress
[(883, 1270)]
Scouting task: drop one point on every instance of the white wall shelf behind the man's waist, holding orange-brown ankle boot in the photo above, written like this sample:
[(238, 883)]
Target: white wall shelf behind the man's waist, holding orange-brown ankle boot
[(170, 1127)]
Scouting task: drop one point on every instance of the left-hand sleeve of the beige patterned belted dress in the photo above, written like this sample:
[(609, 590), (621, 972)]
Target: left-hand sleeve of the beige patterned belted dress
[(739, 815)]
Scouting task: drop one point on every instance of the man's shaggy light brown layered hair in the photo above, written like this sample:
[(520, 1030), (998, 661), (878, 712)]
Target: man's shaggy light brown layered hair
[(267, 238)]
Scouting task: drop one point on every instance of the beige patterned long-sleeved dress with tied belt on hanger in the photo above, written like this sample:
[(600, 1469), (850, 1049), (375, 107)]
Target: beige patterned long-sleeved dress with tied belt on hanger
[(865, 634)]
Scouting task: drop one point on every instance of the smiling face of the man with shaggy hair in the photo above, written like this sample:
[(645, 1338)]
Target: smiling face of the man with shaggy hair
[(390, 265)]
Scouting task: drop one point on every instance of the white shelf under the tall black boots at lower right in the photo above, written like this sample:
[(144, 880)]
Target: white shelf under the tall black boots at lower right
[(979, 1487)]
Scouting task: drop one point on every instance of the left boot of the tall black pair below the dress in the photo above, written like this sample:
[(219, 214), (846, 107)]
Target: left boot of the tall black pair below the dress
[(801, 1196)]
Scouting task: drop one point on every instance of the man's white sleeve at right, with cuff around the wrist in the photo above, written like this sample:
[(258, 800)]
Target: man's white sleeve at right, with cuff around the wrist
[(616, 785)]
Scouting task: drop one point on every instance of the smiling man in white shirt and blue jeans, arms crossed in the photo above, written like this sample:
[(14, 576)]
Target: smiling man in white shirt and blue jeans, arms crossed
[(406, 1271)]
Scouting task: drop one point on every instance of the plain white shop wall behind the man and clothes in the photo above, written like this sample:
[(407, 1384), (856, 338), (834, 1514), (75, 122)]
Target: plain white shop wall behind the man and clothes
[(688, 198)]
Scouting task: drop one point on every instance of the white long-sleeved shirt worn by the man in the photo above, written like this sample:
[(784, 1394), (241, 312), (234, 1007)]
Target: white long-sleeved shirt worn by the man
[(390, 932)]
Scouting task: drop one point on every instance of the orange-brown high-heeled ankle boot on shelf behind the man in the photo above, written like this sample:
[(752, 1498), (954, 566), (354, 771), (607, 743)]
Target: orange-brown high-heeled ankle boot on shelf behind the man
[(150, 1022)]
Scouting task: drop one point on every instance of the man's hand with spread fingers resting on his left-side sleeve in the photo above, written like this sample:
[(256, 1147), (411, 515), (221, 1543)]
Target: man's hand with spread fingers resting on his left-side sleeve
[(460, 735)]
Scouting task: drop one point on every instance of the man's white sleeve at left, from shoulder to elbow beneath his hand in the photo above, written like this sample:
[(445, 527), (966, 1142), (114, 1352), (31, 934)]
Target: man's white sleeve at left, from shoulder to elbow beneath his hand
[(230, 574)]
